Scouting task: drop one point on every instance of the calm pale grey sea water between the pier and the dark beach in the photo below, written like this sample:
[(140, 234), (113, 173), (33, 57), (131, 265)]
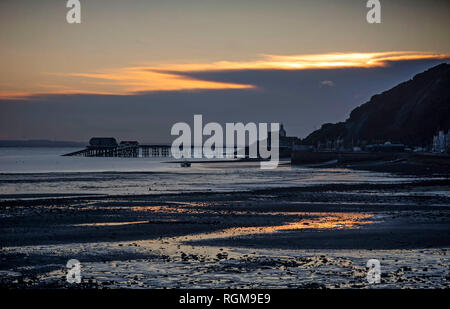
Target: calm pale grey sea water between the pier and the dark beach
[(44, 171)]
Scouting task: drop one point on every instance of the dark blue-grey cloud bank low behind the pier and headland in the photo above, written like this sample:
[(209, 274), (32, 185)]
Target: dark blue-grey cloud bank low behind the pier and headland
[(302, 100)]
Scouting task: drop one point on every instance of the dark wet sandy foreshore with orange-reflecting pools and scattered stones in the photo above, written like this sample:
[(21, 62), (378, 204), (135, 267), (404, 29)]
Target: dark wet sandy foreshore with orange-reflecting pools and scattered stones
[(306, 237)]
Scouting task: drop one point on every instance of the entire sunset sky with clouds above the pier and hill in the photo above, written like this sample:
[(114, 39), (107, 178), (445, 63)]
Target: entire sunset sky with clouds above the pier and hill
[(133, 68)]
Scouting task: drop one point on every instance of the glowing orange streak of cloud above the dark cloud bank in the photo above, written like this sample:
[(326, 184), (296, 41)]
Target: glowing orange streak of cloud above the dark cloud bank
[(169, 77)]
